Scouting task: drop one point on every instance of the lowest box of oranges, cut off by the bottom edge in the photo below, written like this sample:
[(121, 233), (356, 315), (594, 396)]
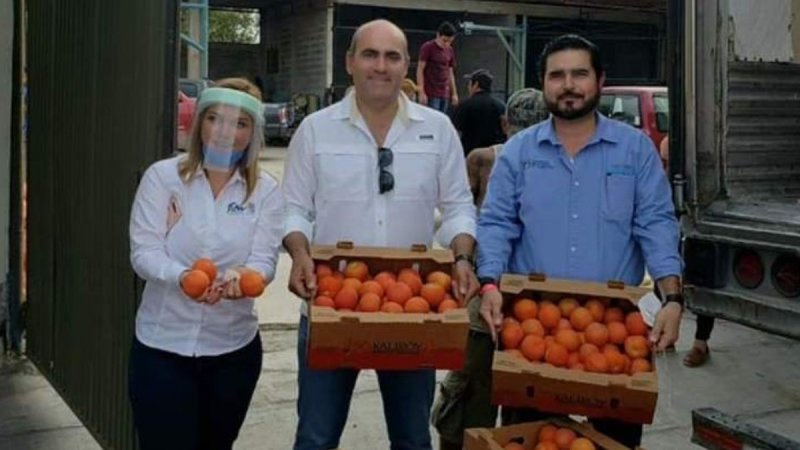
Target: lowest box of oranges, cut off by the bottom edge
[(552, 434)]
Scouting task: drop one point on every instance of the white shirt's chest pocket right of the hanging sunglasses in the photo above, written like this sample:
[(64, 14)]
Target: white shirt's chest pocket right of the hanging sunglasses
[(415, 172)]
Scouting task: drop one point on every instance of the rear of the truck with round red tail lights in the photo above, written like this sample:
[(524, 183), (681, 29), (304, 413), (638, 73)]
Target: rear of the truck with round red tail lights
[(735, 158)]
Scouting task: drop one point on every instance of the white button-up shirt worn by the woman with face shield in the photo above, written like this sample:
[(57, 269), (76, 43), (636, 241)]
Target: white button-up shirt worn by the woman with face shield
[(226, 230)]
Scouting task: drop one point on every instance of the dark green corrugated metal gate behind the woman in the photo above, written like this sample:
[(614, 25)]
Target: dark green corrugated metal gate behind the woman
[(102, 98)]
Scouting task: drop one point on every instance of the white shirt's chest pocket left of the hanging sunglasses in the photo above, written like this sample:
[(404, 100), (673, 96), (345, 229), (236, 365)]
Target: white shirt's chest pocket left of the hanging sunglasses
[(343, 174)]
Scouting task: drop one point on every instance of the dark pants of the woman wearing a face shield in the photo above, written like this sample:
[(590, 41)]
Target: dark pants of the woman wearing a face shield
[(191, 403)]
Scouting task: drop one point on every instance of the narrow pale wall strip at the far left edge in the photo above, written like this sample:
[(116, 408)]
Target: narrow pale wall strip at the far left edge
[(6, 46)]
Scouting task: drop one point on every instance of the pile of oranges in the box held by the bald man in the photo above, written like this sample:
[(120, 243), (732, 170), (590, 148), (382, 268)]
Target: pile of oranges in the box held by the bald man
[(402, 292)]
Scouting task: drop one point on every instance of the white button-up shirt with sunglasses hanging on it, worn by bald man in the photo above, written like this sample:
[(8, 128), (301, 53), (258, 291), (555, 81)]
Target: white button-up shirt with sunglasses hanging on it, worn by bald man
[(331, 179)]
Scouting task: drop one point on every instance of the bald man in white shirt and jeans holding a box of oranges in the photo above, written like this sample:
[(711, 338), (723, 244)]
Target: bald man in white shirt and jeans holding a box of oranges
[(371, 169)]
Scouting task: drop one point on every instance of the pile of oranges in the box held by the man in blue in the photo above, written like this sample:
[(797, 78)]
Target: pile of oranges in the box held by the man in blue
[(595, 335)]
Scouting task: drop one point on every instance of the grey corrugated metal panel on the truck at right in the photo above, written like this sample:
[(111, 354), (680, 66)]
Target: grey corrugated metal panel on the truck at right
[(762, 137)]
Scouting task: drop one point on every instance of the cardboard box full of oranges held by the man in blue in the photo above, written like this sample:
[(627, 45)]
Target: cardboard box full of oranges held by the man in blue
[(574, 347)]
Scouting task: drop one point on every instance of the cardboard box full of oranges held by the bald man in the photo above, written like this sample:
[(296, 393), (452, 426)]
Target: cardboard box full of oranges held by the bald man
[(385, 308)]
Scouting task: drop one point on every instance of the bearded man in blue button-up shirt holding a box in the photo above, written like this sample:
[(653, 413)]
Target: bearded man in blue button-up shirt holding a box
[(582, 197)]
